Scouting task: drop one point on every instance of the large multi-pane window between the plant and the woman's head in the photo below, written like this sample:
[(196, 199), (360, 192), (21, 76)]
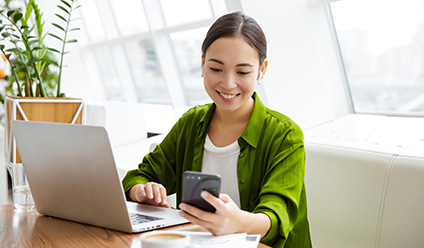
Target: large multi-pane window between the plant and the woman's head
[(148, 51)]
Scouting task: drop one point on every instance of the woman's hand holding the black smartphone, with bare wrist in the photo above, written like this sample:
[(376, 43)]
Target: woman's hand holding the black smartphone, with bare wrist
[(228, 217)]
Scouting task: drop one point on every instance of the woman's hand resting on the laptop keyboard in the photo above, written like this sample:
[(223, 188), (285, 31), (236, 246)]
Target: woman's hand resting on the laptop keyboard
[(150, 193)]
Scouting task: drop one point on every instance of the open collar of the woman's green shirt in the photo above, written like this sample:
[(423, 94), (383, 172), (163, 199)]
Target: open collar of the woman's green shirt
[(253, 129)]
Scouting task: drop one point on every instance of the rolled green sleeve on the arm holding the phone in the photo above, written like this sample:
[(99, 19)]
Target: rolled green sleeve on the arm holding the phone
[(280, 195)]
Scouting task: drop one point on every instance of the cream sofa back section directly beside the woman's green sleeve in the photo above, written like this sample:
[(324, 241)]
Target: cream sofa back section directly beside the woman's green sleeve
[(344, 189)]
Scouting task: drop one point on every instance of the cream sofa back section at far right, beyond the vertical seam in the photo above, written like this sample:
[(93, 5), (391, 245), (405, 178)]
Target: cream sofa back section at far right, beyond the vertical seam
[(402, 222)]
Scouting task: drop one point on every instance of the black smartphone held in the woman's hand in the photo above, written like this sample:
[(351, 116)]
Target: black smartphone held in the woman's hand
[(194, 183)]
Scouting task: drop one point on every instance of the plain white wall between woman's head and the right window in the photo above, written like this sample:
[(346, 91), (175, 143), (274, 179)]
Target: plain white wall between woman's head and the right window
[(304, 79)]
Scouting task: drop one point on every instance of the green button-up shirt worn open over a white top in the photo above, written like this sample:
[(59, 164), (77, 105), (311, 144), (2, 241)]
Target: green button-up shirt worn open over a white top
[(270, 168)]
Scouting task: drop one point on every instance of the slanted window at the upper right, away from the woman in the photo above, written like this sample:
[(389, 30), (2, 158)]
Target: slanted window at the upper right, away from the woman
[(382, 46)]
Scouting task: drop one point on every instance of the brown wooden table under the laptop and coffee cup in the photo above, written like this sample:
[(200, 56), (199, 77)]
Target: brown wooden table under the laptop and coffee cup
[(30, 229)]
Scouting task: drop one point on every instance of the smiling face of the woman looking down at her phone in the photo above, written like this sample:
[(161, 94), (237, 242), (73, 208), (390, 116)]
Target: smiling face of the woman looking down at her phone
[(231, 68)]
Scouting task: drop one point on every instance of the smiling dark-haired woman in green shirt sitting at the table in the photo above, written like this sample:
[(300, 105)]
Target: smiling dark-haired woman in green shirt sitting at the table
[(258, 152)]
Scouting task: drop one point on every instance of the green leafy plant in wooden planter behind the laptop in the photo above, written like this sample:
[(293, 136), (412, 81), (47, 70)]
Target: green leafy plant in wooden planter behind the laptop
[(34, 89)]
